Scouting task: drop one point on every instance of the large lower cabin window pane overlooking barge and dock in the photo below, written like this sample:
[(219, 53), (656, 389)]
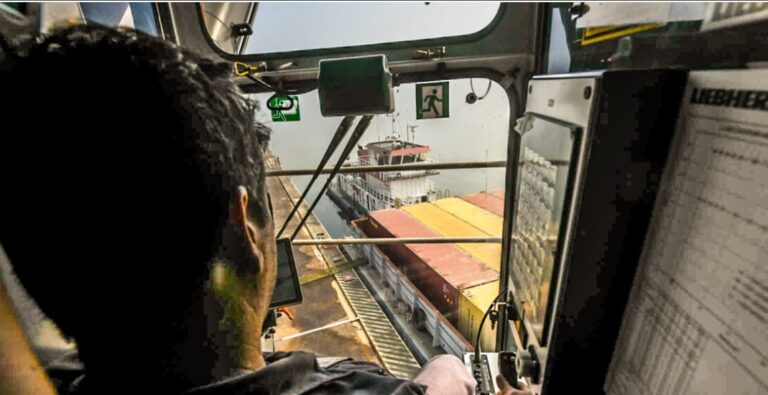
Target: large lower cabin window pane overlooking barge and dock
[(436, 294)]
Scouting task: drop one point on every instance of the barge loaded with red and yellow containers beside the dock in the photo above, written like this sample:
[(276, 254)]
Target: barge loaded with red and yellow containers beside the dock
[(447, 287)]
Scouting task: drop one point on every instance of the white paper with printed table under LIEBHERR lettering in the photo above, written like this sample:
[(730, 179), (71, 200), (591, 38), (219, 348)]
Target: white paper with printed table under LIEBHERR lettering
[(697, 319)]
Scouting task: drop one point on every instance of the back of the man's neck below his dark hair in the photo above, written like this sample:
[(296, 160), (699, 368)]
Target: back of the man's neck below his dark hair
[(221, 338)]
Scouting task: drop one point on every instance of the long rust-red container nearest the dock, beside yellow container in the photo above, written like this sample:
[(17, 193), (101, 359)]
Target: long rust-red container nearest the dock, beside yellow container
[(439, 271)]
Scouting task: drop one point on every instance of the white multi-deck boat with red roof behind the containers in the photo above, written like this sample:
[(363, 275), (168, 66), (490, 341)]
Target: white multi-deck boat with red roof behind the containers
[(357, 194)]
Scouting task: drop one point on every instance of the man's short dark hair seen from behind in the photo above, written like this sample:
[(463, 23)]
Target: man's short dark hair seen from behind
[(119, 156)]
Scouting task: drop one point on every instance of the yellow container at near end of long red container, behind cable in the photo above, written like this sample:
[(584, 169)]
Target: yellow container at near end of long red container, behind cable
[(473, 303)]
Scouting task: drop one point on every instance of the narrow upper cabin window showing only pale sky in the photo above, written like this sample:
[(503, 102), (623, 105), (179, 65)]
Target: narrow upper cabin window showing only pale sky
[(287, 27)]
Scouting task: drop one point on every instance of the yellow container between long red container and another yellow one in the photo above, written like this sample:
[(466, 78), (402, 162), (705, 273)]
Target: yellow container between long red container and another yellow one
[(448, 225)]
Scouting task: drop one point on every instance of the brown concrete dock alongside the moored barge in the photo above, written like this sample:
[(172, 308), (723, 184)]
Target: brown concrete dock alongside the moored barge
[(339, 316)]
